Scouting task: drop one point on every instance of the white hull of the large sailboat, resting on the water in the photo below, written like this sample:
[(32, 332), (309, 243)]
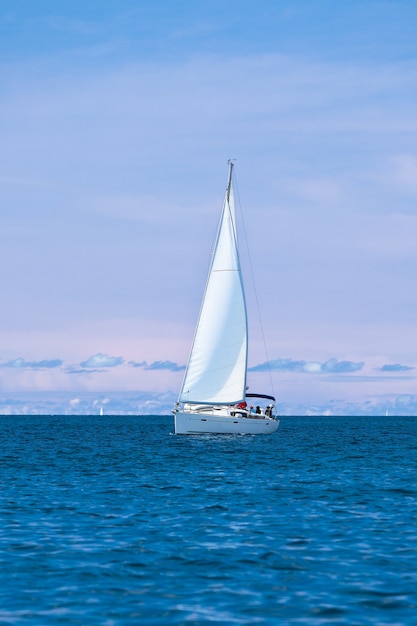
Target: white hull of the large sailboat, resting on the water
[(197, 424)]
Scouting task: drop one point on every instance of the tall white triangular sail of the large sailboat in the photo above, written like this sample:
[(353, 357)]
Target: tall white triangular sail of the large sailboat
[(216, 371)]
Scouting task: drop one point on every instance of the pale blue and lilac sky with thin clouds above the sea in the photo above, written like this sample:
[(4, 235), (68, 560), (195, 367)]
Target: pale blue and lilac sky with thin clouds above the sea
[(117, 119)]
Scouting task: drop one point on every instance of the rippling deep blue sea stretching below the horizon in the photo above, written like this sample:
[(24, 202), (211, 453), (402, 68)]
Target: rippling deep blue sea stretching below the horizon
[(117, 521)]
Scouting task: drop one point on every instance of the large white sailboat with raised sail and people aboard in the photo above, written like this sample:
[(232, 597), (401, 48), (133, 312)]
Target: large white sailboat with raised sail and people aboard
[(213, 397)]
